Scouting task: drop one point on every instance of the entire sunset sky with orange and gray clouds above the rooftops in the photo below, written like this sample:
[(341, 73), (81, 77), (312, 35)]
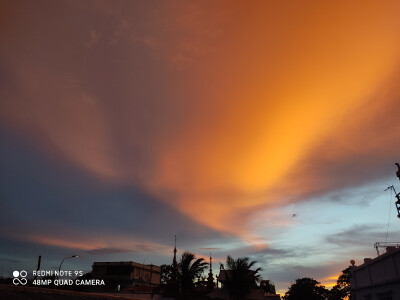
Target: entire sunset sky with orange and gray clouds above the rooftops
[(264, 129)]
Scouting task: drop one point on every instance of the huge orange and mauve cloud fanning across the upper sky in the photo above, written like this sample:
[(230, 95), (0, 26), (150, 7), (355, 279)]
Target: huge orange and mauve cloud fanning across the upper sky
[(241, 122)]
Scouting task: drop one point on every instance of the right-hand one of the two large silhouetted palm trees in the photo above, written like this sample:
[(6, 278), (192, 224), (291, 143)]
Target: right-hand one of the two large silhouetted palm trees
[(239, 278)]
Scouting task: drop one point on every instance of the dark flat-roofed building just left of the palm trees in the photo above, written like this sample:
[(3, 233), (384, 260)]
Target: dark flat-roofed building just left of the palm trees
[(127, 273)]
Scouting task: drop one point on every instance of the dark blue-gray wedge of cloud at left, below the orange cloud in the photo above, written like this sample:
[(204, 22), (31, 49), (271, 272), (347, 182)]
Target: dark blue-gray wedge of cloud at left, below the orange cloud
[(44, 197)]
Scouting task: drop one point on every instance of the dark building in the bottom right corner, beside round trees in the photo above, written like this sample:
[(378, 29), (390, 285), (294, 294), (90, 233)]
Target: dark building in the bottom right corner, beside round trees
[(378, 278)]
